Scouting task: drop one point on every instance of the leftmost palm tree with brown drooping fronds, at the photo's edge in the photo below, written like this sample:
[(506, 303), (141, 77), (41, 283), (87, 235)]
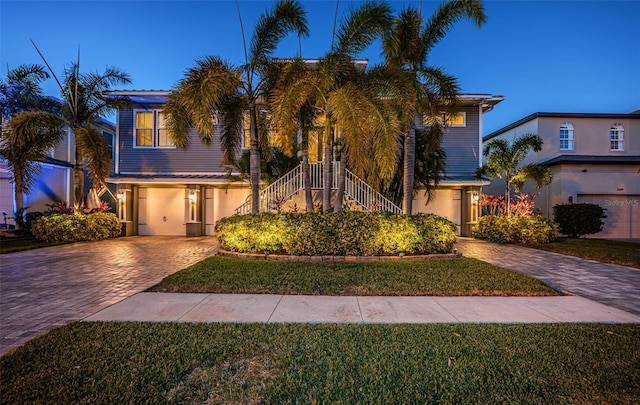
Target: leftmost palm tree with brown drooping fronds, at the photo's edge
[(31, 126)]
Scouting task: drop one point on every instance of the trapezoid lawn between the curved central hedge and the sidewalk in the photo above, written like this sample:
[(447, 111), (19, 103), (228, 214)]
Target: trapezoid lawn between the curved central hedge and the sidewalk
[(407, 277)]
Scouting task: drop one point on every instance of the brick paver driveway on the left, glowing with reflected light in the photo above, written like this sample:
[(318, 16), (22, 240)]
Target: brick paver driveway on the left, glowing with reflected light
[(43, 288)]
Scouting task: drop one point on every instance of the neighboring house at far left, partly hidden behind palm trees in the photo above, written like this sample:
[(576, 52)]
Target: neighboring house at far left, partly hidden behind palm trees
[(54, 183)]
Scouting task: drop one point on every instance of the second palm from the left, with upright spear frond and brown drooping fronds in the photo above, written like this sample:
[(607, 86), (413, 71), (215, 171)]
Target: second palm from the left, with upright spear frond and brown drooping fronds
[(84, 102)]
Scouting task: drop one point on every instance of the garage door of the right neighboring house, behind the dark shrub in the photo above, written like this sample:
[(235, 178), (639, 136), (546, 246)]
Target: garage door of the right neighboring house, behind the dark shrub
[(623, 214)]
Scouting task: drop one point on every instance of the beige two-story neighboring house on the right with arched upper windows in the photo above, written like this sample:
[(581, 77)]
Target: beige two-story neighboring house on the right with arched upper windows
[(595, 158)]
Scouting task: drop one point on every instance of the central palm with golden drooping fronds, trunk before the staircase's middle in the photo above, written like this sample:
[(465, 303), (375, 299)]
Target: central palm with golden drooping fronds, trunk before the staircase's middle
[(328, 94)]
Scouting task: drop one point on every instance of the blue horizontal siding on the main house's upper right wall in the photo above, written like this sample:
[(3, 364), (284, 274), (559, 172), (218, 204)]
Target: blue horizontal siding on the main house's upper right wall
[(461, 144)]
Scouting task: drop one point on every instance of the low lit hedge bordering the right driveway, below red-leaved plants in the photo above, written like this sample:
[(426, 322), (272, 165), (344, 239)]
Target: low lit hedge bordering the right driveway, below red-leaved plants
[(514, 229)]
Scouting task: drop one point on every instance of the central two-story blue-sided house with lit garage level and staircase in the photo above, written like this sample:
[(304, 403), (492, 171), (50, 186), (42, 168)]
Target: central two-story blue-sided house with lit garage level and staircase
[(164, 190)]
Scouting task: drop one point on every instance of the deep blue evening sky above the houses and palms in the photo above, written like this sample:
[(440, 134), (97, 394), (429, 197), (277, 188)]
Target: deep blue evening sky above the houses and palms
[(566, 56)]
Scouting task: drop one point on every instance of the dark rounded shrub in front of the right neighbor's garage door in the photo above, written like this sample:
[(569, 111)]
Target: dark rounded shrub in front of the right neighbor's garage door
[(577, 220)]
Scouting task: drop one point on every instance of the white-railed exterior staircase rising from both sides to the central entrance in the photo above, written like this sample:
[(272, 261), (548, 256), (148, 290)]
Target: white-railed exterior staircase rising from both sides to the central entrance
[(356, 190)]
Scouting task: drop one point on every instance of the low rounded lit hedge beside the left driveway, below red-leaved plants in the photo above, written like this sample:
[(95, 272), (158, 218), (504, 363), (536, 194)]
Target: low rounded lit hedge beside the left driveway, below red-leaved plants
[(75, 228)]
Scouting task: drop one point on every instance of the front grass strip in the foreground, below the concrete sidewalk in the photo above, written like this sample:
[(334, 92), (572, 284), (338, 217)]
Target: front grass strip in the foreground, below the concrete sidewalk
[(108, 363)]
